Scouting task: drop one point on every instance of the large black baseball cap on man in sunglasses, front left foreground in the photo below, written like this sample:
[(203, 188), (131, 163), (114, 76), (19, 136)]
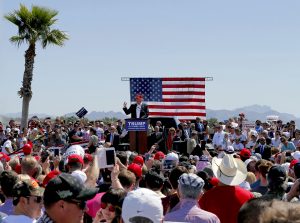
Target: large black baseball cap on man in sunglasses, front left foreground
[(67, 187)]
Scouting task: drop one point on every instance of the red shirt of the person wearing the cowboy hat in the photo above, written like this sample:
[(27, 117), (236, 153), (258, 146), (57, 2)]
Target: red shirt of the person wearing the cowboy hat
[(225, 202)]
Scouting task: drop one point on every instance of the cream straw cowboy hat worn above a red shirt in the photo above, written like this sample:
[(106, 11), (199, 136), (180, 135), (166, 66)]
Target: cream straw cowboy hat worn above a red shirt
[(229, 170)]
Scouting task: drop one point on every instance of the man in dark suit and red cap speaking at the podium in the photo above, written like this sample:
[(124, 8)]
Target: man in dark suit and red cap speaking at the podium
[(137, 110)]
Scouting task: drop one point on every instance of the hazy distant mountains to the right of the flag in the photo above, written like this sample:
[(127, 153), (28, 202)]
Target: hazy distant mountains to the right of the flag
[(252, 113)]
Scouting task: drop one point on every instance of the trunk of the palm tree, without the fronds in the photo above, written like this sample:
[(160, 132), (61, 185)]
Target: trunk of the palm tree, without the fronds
[(25, 91)]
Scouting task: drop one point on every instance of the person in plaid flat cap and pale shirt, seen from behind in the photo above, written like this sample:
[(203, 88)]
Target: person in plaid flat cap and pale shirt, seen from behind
[(187, 210)]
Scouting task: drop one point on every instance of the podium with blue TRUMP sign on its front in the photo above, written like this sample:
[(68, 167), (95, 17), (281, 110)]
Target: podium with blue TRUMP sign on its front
[(137, 129)]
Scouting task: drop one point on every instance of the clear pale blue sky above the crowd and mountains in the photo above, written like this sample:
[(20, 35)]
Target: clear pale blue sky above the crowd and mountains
[(250, 48)]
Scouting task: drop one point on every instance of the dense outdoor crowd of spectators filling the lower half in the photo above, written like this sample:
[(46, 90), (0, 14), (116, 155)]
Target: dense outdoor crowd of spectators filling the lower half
[(224, 172)]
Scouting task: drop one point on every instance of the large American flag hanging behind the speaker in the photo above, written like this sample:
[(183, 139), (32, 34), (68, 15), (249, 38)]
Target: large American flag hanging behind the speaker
[(182, 97)]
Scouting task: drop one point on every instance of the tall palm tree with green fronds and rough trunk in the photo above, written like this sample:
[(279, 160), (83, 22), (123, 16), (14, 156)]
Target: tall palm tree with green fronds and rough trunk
[(33, 26)]
